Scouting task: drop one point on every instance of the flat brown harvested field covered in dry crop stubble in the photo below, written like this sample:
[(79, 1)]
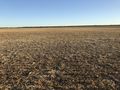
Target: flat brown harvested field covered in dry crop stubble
[(76, 58)]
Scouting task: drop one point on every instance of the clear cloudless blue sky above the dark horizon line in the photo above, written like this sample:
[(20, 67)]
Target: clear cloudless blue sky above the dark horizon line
[(58, 12)]
